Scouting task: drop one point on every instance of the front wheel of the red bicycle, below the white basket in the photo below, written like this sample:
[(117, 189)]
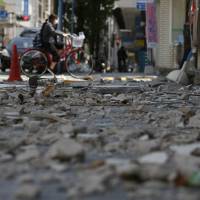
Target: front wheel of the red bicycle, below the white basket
[(79, 64)]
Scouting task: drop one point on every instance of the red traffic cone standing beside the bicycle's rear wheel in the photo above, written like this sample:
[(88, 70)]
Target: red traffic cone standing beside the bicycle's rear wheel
[(14, 74)]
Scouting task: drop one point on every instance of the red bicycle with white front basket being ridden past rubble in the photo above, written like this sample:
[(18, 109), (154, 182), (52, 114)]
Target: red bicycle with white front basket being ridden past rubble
[(77, 62)]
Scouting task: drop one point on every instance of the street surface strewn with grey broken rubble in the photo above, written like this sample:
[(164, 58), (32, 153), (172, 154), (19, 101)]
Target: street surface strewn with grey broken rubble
[(114, 137)]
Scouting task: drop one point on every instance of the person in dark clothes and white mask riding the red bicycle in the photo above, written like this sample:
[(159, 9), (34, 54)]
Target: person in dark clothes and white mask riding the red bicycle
[(49, 39)]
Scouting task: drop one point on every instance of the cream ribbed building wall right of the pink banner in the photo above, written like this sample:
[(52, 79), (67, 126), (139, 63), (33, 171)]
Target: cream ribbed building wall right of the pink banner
[(171, 19)]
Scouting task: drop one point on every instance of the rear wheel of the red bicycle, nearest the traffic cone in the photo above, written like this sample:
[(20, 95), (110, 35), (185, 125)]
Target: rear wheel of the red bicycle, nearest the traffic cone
[(33, 63)]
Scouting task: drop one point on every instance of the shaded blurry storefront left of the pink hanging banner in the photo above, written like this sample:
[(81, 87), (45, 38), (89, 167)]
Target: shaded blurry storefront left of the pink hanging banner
[(129, 31)]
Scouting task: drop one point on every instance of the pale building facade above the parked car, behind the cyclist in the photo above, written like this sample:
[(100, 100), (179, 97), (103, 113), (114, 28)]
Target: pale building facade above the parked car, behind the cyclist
[(22, 14)]
